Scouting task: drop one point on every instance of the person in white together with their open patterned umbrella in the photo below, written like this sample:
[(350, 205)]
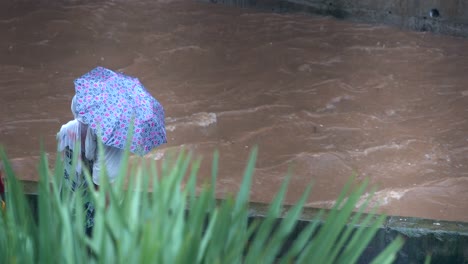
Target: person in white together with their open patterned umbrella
[(105, 105)]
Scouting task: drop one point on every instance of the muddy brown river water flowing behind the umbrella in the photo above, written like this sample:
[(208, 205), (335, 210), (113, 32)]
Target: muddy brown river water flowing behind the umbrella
[(324, 97)]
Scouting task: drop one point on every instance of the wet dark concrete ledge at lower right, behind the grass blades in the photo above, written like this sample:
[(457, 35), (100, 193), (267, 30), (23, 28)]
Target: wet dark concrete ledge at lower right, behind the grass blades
[(446, 241)]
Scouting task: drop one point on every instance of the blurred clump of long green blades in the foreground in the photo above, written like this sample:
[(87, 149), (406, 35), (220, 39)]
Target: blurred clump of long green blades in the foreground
[(138, 227)]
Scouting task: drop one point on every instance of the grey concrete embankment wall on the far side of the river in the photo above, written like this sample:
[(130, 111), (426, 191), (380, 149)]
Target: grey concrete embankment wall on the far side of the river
[(438, 16)]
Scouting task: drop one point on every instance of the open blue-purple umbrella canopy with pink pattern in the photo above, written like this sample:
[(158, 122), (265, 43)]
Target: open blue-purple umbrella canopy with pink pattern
[(108, 101)]
